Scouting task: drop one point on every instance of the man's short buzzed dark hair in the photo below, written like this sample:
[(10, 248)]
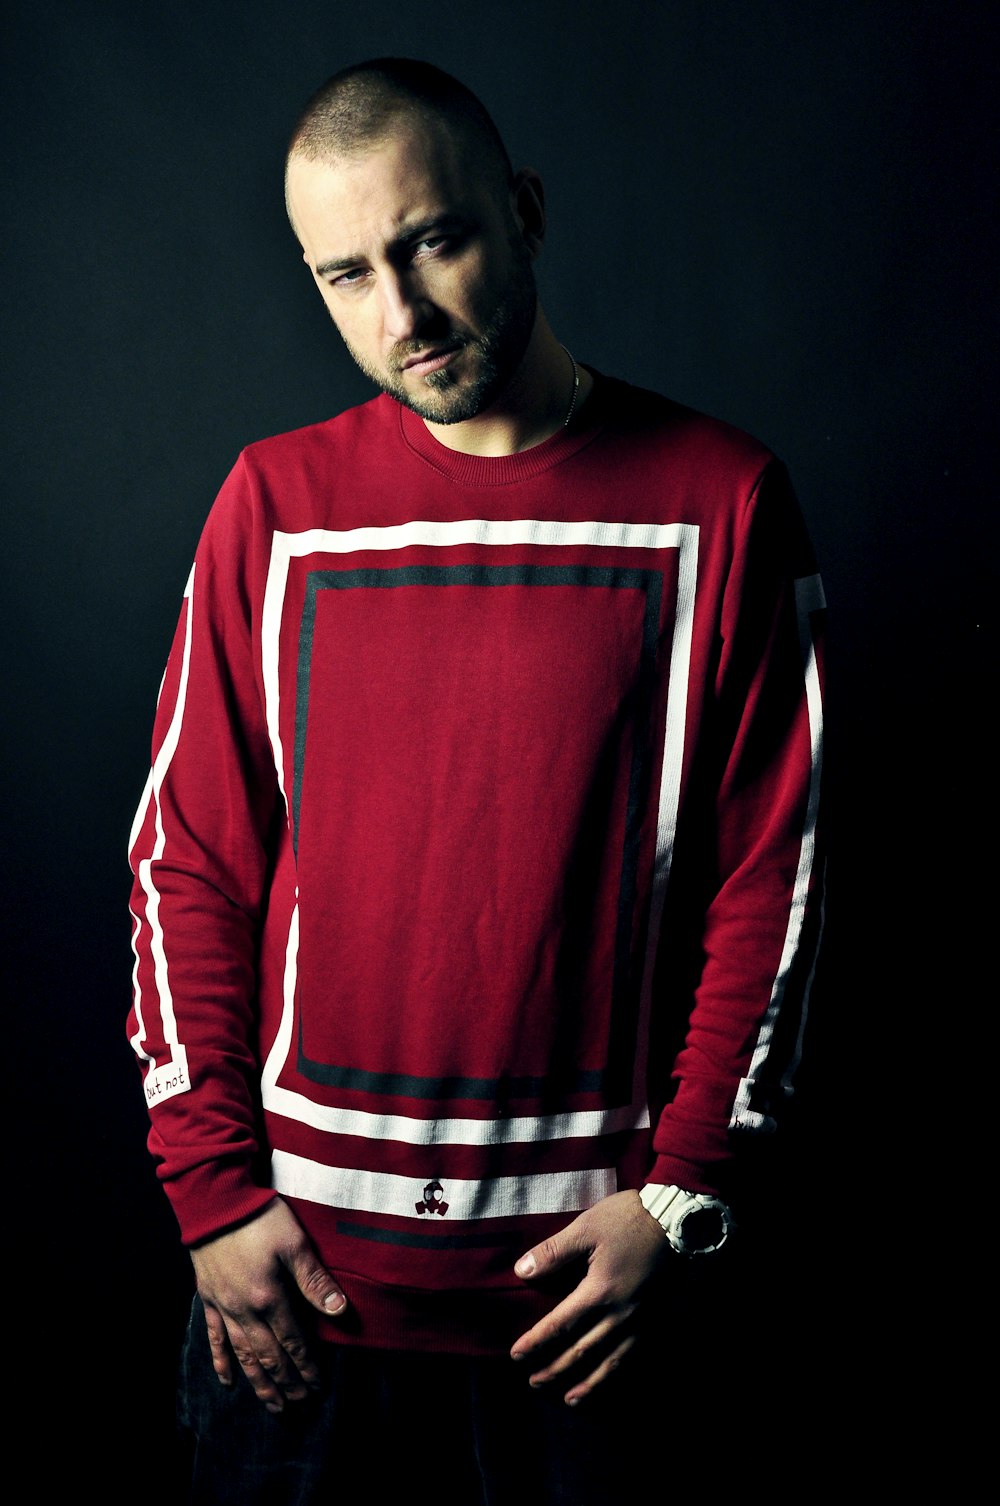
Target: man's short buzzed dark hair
[(359, 106)]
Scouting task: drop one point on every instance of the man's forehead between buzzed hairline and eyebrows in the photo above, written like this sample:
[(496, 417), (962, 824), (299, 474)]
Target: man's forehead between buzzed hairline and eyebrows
[(364, 201)]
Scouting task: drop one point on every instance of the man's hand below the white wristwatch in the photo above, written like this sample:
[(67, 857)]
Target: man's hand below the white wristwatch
[(594, 1328)]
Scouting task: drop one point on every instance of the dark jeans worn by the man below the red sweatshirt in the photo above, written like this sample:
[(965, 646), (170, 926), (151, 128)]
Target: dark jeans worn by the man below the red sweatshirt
[(391, 1427)]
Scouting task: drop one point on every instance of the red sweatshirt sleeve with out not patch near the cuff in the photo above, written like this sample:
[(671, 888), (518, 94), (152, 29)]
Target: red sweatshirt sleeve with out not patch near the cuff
[(200, 855)]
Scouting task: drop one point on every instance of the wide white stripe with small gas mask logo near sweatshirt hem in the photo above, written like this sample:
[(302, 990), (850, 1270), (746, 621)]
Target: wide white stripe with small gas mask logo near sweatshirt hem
[(380, 1194)]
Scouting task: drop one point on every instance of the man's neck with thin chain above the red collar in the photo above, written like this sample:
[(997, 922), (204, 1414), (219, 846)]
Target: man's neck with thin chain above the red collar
[(532, 407)]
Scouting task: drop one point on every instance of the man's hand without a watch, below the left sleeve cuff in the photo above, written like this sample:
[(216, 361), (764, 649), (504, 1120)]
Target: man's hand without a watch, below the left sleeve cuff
[(245, 1279)]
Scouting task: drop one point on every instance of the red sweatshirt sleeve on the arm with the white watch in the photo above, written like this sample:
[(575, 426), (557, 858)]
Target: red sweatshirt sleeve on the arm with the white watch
[(757, 849)]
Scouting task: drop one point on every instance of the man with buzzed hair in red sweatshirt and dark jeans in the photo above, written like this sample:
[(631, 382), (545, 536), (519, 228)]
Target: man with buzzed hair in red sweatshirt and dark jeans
[(477, 885)]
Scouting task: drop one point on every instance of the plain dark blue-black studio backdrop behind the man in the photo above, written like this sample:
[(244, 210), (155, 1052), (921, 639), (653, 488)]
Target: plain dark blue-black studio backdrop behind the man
[(779, 213)]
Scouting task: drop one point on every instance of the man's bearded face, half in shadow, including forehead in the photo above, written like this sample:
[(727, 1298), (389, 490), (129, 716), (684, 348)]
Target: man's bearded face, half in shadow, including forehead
[(422, 267)]
